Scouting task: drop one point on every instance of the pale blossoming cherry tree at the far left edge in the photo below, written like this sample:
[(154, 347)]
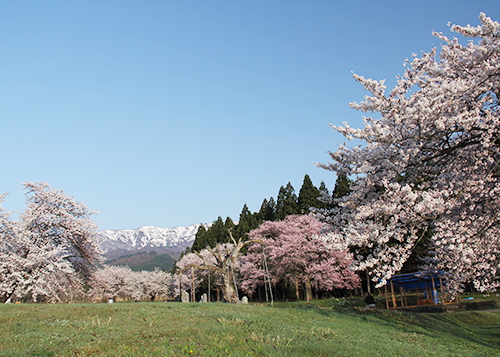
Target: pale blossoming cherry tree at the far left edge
[(51, 251)]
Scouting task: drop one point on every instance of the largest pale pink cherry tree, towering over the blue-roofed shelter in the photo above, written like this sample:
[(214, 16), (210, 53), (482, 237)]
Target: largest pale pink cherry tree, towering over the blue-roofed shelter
[(430, 163)]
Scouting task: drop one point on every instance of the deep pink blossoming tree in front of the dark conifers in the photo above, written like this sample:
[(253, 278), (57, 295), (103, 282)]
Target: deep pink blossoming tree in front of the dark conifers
[(297, 256)]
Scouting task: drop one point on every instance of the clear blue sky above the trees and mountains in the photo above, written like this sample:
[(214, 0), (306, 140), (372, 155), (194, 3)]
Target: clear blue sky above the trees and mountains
[(171, 113)]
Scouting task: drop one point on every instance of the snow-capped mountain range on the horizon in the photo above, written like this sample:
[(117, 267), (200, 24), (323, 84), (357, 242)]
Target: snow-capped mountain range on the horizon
[(171, 240)]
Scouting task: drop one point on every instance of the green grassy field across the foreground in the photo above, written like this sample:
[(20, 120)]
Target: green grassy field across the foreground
[(325, 328)]
